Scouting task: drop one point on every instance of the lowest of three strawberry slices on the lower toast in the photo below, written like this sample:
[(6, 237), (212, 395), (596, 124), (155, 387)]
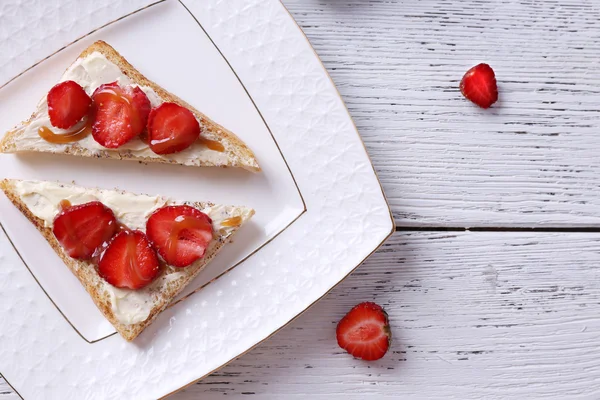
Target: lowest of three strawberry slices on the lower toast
[(129, 261)]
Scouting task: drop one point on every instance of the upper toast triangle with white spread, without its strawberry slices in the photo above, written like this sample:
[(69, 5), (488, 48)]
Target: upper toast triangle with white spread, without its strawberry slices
[(100, 64)]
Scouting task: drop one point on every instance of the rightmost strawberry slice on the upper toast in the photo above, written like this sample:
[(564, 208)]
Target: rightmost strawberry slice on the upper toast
[(172, 128)]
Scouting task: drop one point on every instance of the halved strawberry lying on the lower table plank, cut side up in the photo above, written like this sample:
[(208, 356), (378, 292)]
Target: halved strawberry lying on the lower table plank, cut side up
[(365, 332)]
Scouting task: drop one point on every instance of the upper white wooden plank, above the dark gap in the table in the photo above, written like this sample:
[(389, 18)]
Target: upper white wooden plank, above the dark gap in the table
[(531, 160)]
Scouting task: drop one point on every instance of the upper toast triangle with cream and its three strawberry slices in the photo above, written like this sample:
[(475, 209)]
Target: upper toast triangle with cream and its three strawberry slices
[(117, 129)]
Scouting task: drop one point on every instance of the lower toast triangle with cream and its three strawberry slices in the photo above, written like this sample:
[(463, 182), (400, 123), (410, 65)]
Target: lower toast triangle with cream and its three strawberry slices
[(128, 261)]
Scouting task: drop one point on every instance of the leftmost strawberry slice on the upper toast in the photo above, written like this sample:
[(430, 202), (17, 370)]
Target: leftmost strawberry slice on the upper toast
[(68, 103)]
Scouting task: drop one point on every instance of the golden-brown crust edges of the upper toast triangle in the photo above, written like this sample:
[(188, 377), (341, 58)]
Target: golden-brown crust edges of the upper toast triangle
[(241, 152)]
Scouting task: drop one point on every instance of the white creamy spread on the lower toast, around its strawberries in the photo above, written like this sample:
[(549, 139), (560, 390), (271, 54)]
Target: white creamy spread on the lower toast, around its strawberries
[(129, 306)]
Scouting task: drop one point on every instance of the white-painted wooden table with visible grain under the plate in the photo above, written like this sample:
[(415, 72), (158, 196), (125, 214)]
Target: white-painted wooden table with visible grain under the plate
[(510, 308)]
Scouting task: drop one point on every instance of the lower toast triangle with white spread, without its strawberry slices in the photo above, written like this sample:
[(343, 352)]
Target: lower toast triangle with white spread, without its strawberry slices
[(130, 311)]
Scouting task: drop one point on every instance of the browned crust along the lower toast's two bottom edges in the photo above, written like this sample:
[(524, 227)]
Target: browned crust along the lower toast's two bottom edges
[(88, 276)]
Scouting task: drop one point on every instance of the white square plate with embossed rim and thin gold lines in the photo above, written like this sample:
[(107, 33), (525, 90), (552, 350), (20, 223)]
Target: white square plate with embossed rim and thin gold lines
[(320, 208)]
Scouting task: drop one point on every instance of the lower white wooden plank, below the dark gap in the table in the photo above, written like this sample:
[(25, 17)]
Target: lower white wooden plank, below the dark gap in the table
[(475, 316)]
